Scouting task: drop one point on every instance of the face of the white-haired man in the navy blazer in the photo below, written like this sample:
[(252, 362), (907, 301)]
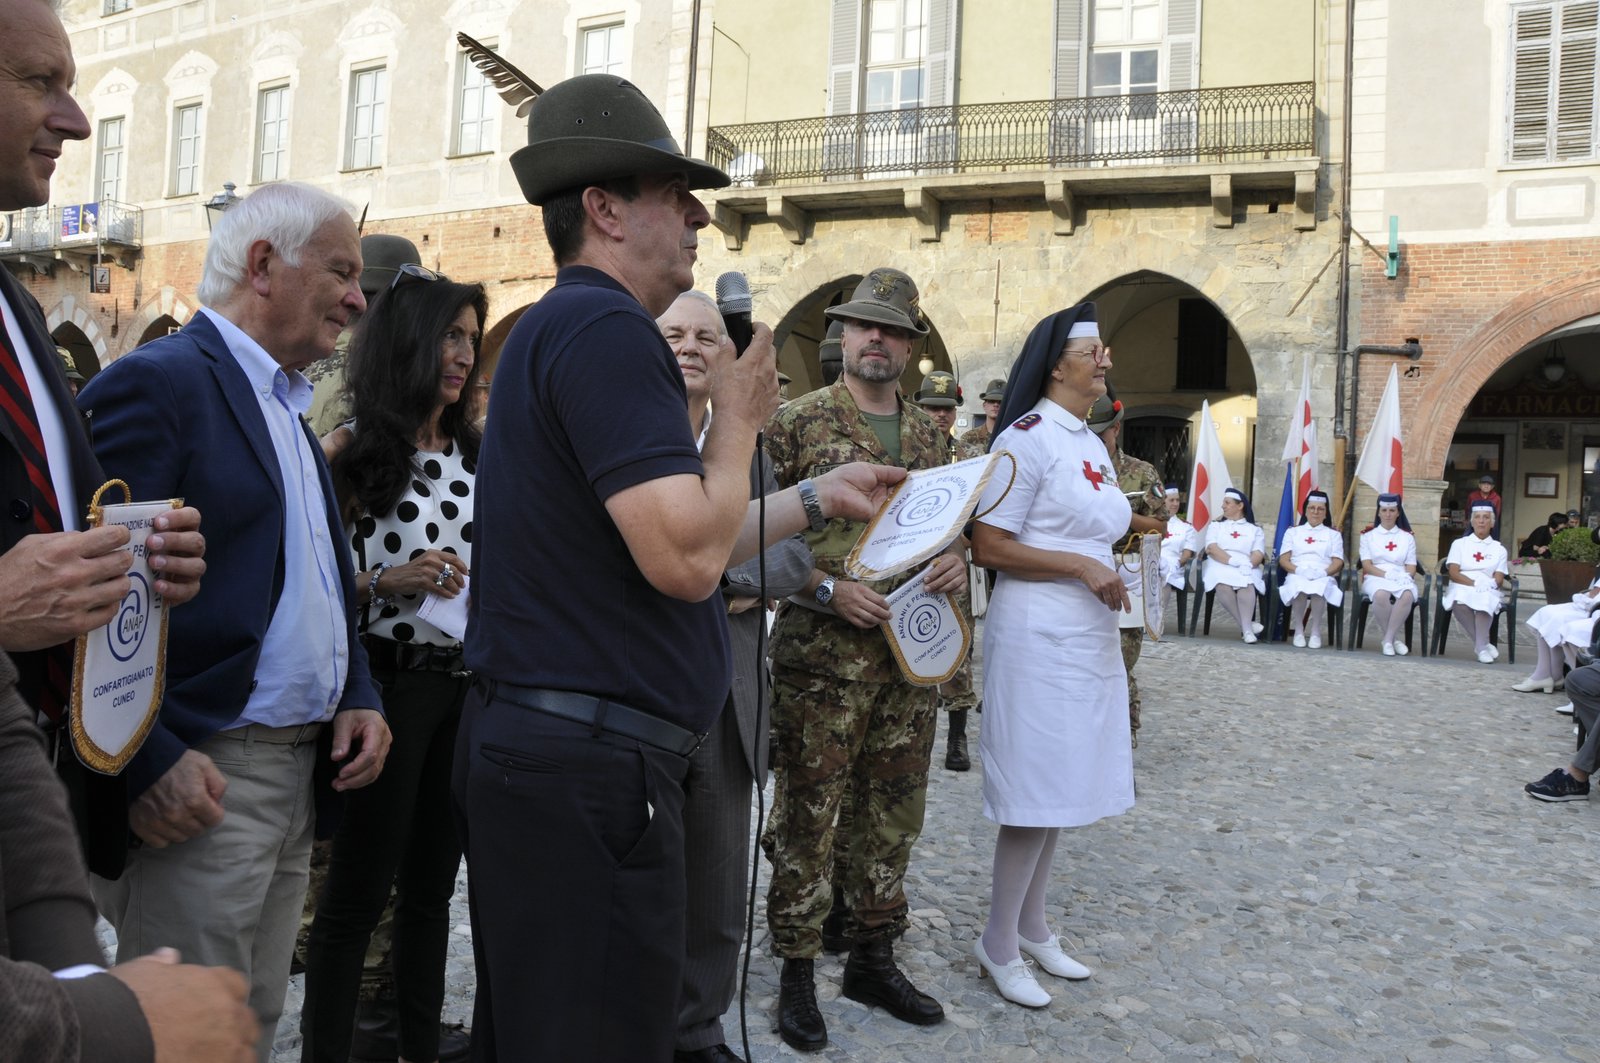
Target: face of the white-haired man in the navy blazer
[(310, 305)]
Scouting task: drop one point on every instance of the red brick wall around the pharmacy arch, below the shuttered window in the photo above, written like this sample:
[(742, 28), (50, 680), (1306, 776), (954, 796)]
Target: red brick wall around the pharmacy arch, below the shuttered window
[(1473, 307)]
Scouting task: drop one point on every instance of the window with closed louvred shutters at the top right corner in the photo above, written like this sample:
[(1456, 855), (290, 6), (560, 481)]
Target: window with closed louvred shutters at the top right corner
[(1553, 87)]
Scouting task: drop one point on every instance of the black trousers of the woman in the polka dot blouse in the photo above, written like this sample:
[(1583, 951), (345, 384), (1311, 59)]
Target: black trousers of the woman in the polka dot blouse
[(399, 833)]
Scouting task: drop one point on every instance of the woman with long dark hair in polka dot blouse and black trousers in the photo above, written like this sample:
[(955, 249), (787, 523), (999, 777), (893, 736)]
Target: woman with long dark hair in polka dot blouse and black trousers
[(404, 471)]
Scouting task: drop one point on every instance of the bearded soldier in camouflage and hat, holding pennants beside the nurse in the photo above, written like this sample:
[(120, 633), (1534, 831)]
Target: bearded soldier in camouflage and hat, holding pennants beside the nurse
[(844, 718)]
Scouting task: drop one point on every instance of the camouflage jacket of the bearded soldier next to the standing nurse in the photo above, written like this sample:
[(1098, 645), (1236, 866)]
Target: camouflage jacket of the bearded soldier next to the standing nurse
[(810, 436)]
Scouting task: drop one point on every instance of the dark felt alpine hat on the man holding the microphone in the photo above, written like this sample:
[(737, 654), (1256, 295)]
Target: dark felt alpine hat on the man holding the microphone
[(594, 129)]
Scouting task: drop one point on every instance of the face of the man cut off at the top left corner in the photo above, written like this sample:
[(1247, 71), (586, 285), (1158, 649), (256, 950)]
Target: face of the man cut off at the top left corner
[(38, 113)]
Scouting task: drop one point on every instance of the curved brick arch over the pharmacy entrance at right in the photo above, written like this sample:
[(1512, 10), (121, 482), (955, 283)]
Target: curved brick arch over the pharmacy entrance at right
[(1478, 356)]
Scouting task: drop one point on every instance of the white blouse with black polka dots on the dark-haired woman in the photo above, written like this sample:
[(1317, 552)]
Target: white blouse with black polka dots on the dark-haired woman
[(436, 513)]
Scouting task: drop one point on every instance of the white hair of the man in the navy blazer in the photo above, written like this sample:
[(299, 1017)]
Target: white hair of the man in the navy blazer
[(286, 214)]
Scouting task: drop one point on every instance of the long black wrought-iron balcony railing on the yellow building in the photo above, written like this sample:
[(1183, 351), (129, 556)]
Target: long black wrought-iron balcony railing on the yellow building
[(1201, 126)]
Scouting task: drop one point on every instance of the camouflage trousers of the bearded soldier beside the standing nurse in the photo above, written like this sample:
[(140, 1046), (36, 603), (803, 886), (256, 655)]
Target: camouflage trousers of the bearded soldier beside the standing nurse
[(838, 737)]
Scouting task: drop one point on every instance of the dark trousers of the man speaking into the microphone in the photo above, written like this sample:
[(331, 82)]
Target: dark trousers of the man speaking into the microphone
[(575, 880)]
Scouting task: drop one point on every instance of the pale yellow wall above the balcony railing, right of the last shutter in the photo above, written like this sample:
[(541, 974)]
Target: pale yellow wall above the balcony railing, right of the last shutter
[(1257, 42)]
